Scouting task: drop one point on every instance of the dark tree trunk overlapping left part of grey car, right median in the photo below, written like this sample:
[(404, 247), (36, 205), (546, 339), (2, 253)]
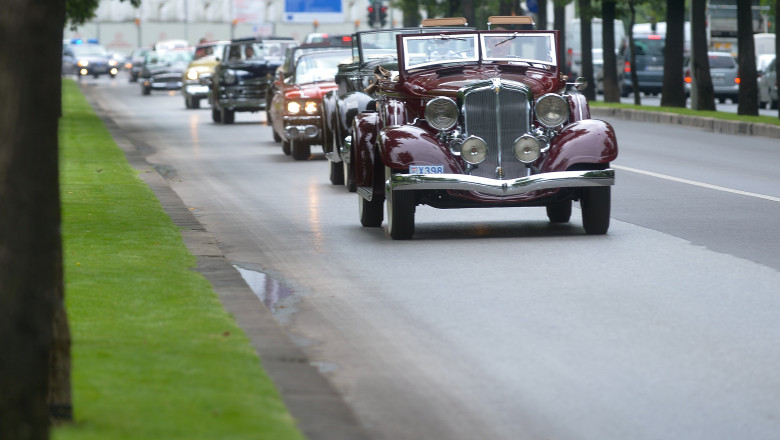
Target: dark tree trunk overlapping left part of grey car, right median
[(702, 92)]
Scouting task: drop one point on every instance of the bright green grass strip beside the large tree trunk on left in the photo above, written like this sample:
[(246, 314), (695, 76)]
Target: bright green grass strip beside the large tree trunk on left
[(155, 355)]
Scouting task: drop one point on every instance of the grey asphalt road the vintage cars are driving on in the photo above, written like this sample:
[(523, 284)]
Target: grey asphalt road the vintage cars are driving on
[(493, 323)]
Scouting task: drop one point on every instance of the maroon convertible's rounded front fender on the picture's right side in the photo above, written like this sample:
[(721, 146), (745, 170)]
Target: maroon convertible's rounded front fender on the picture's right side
[(589, 141)]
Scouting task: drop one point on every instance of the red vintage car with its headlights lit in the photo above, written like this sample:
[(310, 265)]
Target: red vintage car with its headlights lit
[(295, 111)]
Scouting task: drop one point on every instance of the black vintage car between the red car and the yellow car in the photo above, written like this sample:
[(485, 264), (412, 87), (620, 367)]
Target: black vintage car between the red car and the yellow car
[(241, 79)]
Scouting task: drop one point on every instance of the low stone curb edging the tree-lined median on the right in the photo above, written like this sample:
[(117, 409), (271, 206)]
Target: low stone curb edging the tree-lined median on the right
[(710, 124)]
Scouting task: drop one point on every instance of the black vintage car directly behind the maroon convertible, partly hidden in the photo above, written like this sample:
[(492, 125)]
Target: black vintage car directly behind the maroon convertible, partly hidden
[(371, 50)]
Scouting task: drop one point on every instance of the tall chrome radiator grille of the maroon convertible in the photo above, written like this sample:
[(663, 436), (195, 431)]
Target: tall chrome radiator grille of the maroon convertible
[(498, 118)]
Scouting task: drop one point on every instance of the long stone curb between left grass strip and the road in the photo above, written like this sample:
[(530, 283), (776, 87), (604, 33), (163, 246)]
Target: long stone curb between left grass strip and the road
[(319, 410)]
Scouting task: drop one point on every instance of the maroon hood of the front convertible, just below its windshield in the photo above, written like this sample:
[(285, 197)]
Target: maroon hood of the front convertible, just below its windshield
[(448, 82)]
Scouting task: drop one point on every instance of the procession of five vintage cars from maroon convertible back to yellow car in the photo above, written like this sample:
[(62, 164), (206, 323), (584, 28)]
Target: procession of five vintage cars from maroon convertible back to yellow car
[(442, 115)]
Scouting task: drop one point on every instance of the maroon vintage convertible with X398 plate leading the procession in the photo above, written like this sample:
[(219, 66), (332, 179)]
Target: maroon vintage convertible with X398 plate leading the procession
[(480, 119)]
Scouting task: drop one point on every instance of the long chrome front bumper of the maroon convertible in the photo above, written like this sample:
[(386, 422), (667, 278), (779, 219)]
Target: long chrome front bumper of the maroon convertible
[(463, 182)]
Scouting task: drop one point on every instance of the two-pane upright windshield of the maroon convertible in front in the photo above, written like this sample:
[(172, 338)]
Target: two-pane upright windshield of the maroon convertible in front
[(514, 47)]
